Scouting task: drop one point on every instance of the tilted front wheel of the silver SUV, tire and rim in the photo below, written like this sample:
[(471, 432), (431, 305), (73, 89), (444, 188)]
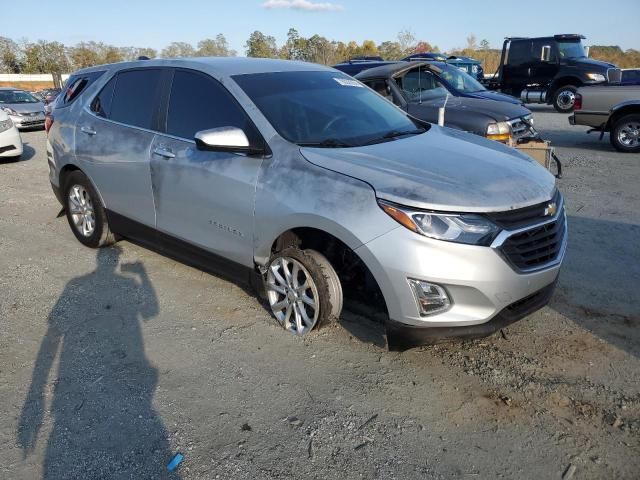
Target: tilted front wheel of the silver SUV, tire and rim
[(303, 290)]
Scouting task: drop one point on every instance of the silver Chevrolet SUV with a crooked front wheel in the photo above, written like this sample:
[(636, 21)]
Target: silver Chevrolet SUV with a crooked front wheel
[(299, 180)]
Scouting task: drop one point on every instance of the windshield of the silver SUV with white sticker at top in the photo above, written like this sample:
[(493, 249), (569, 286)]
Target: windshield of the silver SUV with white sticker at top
[(325, 109)]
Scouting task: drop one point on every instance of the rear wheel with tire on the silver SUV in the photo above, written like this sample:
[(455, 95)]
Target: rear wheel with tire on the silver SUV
[(85, 213)]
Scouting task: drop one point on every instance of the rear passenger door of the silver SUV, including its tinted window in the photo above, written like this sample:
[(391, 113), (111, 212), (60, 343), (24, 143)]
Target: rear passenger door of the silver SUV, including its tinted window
[(113, 142)]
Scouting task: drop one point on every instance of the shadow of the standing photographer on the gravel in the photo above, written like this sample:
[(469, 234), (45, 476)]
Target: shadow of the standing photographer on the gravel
[(103, 421)]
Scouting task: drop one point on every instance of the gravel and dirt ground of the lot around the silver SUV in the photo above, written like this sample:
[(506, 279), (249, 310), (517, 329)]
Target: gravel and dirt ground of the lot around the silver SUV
[(113, 361)]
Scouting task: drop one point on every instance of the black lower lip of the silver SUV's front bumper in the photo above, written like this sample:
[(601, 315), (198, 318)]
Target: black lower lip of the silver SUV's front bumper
[(401, 336)]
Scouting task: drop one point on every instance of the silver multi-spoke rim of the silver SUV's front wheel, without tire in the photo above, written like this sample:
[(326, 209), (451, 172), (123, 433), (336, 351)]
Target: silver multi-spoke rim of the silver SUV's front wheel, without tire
[(292, 295)]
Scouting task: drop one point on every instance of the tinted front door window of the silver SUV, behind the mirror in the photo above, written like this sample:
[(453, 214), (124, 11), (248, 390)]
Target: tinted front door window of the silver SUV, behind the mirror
[(198, 102)]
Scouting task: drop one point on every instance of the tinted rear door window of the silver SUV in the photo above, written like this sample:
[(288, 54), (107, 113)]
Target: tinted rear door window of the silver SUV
[(135, 97)]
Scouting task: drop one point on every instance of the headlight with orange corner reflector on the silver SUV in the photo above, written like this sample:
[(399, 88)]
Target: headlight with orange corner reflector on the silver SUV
[(451, 227)]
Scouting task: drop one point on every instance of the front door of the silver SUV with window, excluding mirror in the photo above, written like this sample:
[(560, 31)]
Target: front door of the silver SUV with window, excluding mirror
[(202, 197)]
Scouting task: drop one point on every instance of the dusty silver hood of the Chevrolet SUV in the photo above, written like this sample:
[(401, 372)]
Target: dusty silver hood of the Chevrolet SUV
[(443, 169)]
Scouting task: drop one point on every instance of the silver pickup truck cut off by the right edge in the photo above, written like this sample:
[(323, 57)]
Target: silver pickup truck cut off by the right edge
[(611, 108)]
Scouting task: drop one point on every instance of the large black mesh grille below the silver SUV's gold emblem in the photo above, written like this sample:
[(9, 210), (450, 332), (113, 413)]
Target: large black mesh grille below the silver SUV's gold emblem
[(536, 247)]
